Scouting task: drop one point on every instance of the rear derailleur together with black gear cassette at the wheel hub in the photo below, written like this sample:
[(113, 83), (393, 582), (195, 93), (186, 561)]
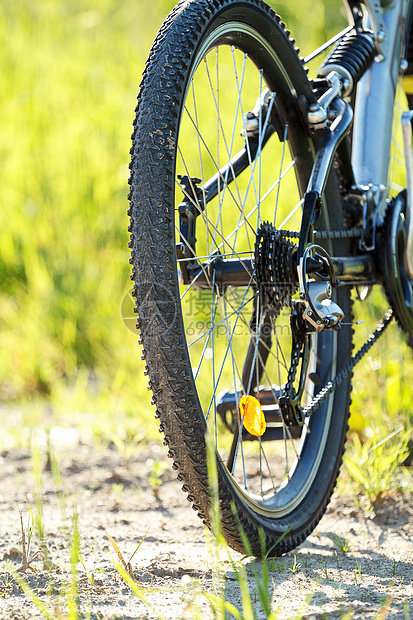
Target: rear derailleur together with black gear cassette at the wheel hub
[(278, 278)]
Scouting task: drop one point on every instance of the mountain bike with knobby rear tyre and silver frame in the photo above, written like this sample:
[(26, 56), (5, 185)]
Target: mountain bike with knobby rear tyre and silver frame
[(257, 205)]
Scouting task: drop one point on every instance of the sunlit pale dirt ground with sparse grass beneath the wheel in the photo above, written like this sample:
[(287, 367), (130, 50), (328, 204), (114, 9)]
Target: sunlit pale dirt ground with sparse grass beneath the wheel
[(174, 562)]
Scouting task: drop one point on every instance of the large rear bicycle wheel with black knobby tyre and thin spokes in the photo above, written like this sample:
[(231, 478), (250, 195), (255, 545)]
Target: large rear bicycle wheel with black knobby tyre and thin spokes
[(213, 331)]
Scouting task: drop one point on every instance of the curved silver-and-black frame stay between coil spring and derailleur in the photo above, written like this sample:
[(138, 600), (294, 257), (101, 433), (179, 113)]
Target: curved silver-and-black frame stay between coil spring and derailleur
[(328, 144)]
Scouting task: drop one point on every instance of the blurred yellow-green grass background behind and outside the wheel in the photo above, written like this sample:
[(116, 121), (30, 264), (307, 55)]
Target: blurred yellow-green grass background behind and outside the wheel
[(68, 84)]
